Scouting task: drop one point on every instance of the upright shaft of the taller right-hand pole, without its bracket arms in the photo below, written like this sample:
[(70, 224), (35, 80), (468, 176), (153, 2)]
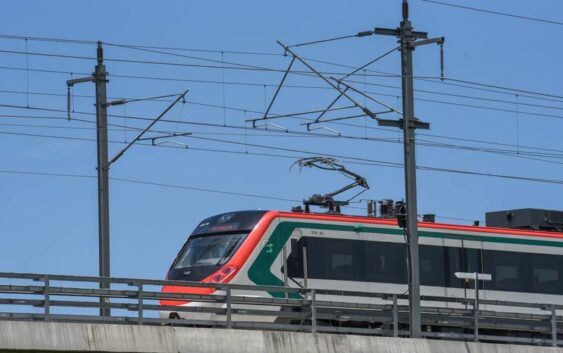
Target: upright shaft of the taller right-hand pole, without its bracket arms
[(407, 48)]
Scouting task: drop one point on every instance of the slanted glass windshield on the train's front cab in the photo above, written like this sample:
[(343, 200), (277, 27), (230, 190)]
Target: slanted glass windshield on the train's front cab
[(209, 250)]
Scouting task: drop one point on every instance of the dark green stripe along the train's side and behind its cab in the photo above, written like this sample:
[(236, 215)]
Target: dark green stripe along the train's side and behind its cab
[(260, 273)]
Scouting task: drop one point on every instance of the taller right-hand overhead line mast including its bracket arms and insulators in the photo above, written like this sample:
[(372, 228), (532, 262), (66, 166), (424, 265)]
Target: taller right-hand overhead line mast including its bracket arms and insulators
[(408, 41)]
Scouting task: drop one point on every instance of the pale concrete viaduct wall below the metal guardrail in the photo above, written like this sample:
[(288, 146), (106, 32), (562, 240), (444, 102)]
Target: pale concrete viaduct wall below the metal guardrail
[(51, 336)]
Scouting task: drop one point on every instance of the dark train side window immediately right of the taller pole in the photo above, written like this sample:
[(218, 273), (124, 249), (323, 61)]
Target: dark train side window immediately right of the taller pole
[(432, 266)]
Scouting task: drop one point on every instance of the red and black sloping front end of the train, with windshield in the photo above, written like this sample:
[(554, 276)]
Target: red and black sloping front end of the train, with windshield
[(214, 253)]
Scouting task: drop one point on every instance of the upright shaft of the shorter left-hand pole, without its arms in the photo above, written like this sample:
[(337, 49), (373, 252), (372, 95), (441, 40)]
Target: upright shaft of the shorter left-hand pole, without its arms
[(100, 79)]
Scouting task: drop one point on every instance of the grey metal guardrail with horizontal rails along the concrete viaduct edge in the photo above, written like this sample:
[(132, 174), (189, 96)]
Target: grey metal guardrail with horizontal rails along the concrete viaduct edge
[(76, 298)]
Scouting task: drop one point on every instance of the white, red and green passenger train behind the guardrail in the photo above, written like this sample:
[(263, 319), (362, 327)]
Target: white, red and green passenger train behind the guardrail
[(364, 254)]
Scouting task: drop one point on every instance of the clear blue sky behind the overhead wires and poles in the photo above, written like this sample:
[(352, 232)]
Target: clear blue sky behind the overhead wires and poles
[(49, 223)]
